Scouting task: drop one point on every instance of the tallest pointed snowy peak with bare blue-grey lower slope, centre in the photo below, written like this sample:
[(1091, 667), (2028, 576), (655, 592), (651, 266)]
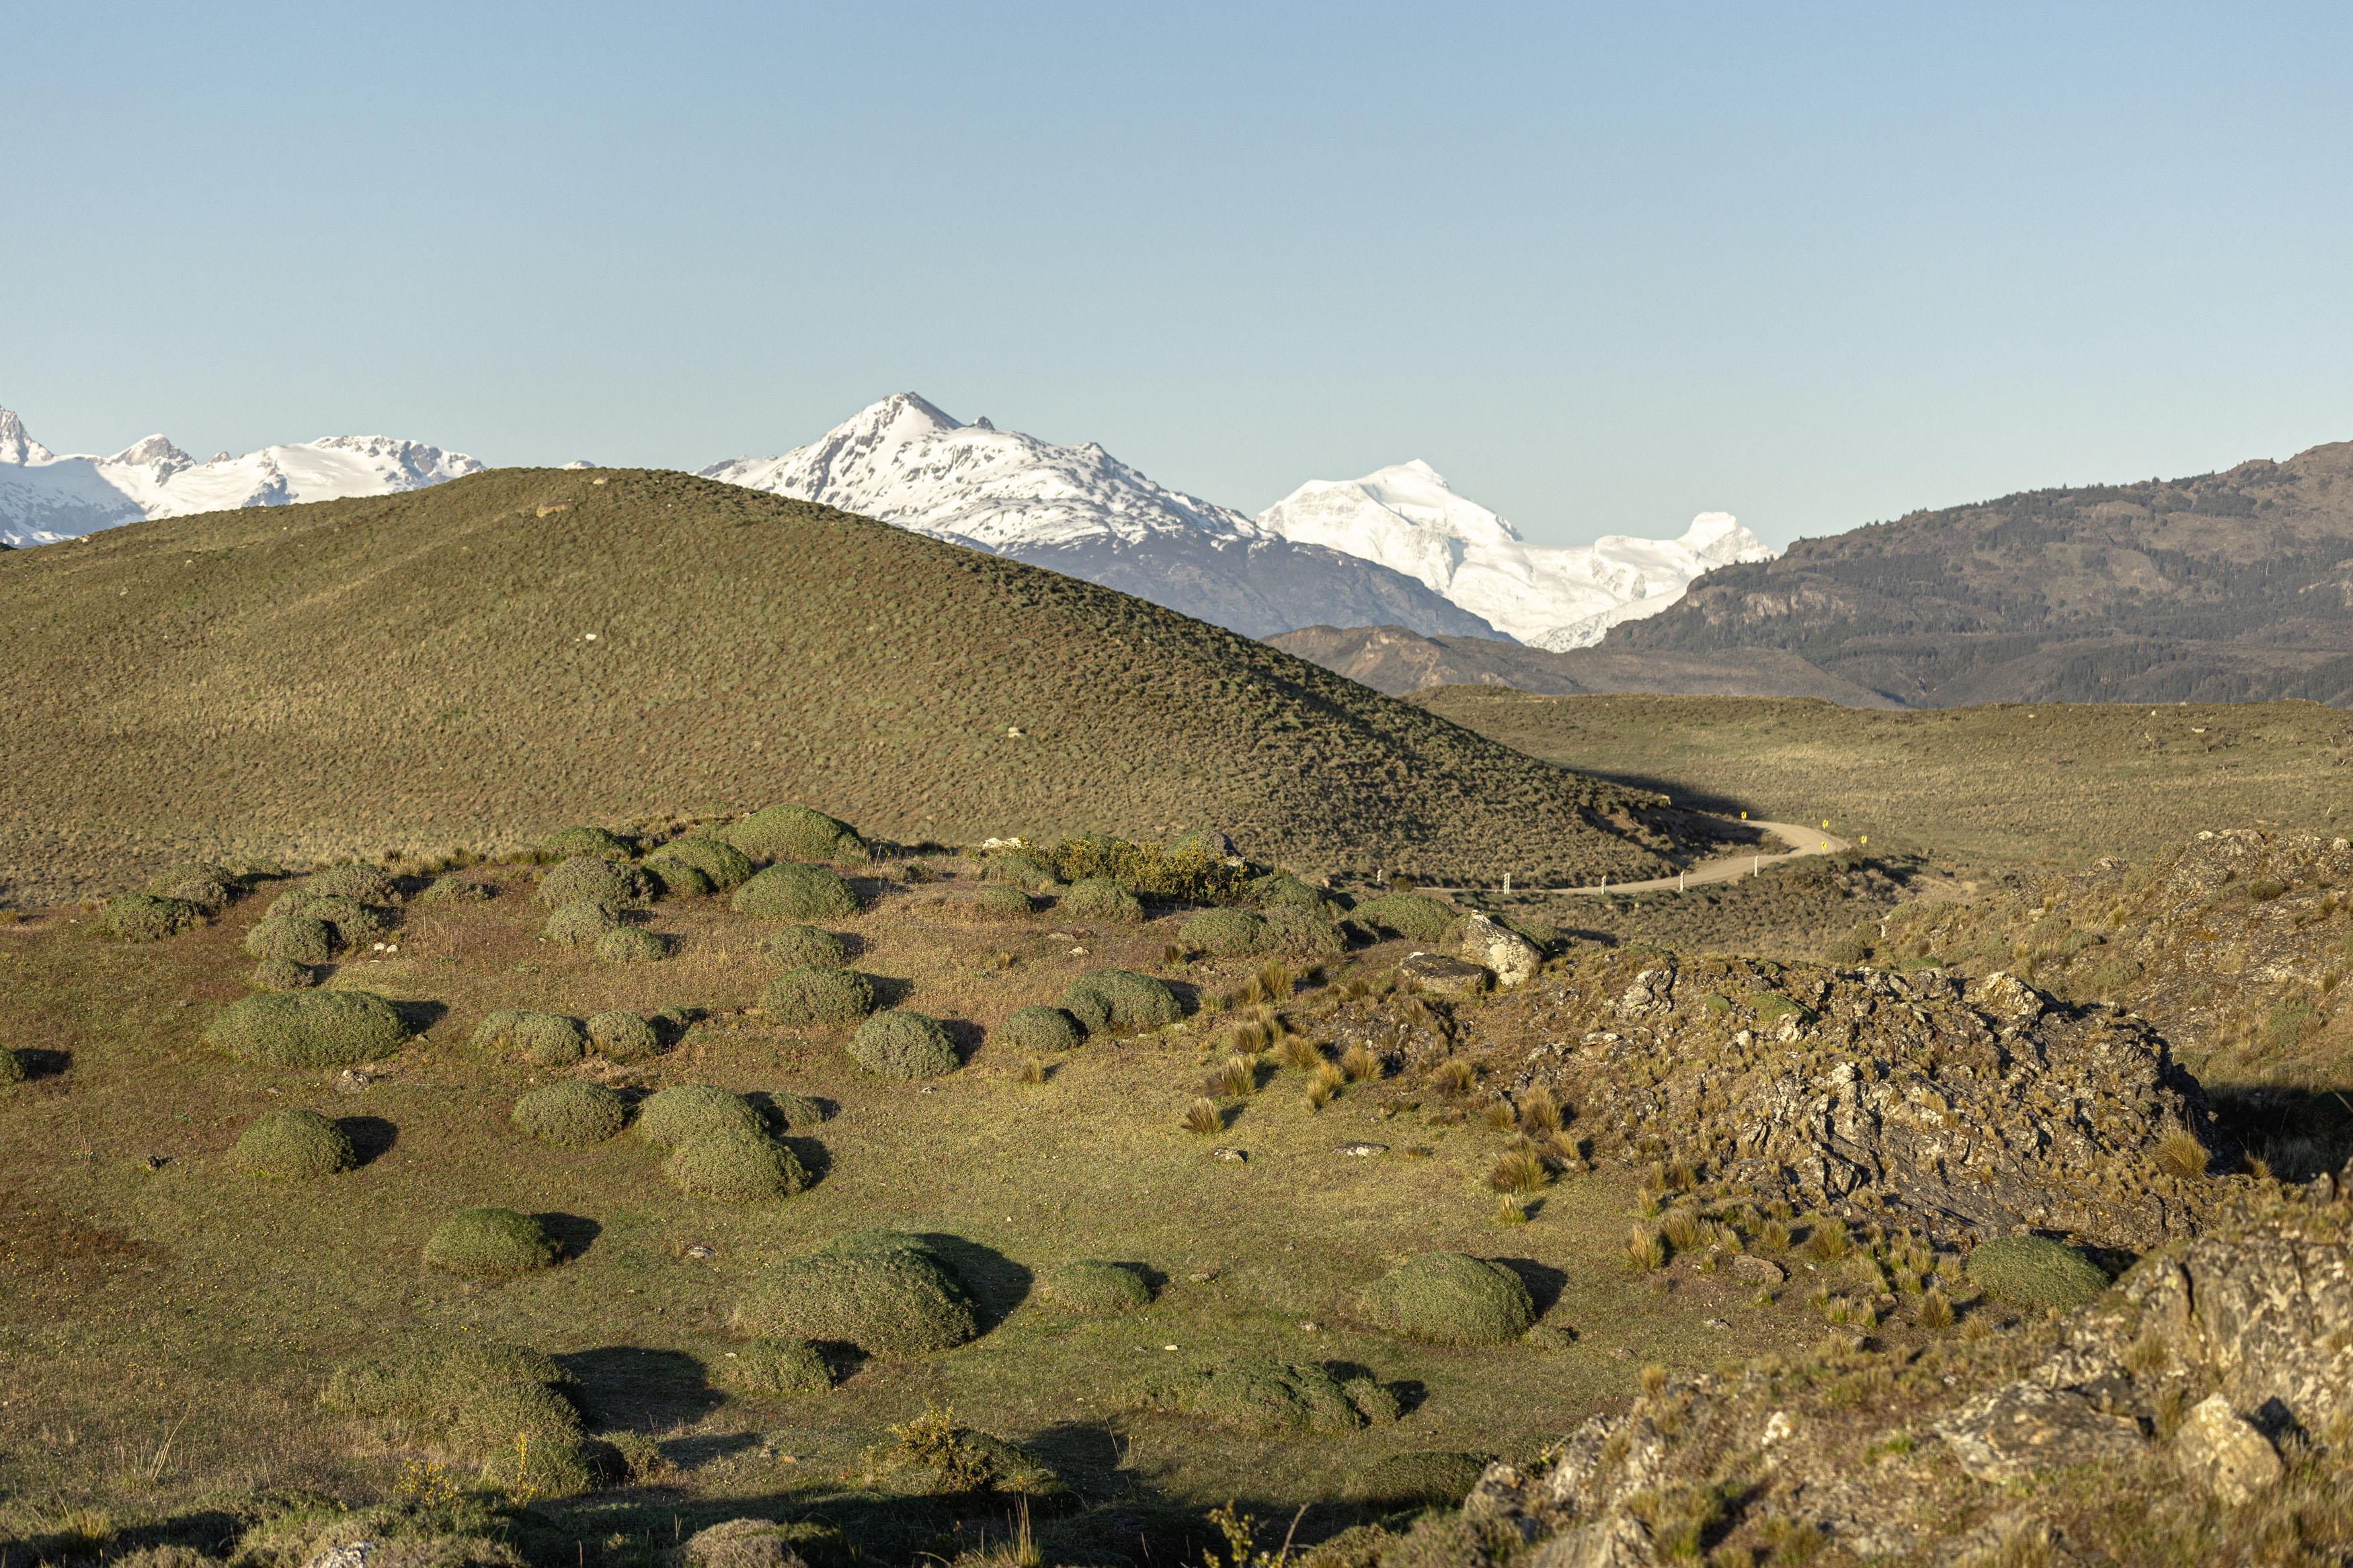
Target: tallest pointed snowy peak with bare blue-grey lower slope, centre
[(1091, 516)]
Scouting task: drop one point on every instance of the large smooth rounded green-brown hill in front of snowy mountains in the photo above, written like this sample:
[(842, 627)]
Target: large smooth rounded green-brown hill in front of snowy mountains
[(521, 650)]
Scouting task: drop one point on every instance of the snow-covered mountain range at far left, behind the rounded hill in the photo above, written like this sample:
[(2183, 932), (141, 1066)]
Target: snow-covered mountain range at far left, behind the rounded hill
[(48, 500)]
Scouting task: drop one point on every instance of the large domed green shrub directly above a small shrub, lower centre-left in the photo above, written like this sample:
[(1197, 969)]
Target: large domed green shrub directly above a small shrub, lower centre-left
[(884, 1292)]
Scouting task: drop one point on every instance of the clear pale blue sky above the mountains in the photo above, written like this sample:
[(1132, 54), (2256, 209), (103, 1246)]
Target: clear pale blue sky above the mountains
[(1604, 267)]
